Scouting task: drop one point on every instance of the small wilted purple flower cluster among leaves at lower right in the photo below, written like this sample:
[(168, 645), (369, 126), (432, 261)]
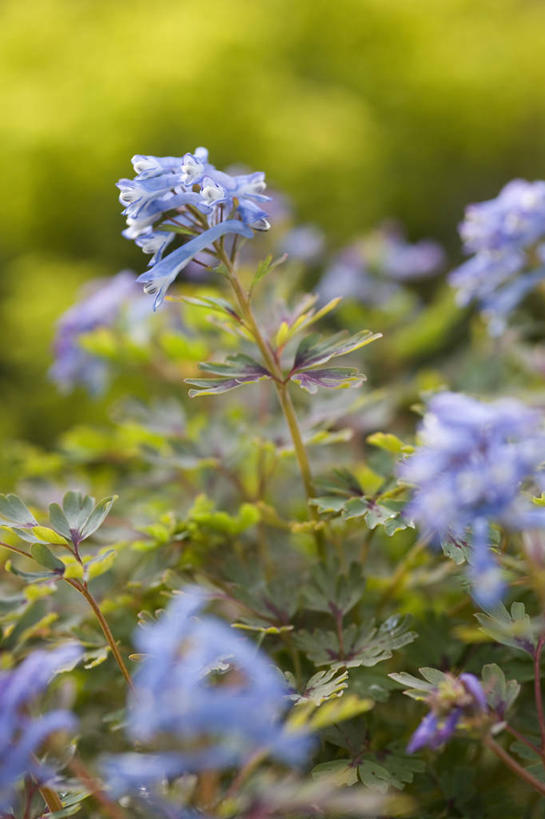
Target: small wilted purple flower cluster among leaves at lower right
[(452, 701)]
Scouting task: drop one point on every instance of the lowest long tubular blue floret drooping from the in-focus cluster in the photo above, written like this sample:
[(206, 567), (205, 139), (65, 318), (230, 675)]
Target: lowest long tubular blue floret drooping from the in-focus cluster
[(158, 278)]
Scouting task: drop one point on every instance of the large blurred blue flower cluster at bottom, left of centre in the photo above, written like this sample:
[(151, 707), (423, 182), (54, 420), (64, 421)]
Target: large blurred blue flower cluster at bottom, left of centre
[(208, 690)]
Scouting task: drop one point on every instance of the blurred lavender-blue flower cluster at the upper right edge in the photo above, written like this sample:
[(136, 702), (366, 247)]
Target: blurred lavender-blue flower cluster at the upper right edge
[(505, 235)]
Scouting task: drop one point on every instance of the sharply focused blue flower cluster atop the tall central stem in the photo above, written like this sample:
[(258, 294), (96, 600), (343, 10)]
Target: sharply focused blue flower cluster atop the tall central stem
[(186, 196)]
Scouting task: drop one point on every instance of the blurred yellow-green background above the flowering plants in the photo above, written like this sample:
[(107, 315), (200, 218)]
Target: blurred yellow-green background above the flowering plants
[(357, 109)]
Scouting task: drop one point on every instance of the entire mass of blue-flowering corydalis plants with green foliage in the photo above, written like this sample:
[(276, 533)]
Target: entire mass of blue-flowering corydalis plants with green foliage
[(301, 570)]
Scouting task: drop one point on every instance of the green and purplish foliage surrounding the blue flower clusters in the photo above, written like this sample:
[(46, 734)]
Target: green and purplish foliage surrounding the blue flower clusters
[(339, 592)]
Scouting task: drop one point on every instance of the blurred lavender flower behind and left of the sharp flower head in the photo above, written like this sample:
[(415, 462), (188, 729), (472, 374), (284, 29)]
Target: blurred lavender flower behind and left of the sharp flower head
[(102, 303)]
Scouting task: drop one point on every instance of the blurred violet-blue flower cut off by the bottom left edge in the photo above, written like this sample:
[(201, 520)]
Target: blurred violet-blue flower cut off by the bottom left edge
[(20, 734)]
